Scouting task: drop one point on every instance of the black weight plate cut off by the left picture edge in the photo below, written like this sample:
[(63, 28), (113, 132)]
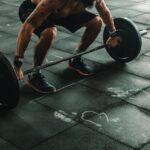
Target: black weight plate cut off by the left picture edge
[(9, 90)]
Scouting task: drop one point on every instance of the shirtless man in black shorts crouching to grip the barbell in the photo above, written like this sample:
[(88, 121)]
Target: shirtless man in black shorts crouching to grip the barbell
[(42, 16)]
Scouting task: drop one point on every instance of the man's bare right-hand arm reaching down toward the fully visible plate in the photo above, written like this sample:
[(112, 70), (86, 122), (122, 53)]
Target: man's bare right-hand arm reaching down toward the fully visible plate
[(105, 14)]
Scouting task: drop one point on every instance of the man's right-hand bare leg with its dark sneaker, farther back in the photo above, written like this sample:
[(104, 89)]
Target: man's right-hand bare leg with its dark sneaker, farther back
[(93, 28)]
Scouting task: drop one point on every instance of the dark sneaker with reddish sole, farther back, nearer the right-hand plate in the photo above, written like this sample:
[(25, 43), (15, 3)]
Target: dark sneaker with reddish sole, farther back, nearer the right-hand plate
[(79, 66)]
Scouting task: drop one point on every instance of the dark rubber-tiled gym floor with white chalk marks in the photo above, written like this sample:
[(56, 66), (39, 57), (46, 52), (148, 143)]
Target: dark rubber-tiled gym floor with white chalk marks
[(108, 111)]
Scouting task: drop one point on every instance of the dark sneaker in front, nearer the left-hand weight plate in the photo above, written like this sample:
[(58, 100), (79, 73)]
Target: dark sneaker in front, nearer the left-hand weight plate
[(38, 83)]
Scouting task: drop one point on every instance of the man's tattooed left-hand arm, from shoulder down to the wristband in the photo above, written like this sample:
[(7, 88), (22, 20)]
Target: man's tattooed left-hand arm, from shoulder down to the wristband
[(44, 8)]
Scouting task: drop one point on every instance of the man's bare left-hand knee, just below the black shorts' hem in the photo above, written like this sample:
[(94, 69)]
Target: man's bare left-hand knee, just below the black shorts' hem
[(49, 33)]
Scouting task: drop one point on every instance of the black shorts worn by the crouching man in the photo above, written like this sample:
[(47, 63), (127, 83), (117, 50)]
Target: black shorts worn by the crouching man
[(71, 22)]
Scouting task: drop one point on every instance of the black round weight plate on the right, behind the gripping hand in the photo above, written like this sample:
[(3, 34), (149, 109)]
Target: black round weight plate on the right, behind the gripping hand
[(131, 40)]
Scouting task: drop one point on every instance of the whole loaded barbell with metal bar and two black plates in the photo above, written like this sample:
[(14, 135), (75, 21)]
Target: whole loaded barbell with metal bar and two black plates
[(126, 51)]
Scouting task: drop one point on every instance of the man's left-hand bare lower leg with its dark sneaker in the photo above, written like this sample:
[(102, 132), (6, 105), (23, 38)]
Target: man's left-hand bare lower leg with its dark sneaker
[(36, 79)]
